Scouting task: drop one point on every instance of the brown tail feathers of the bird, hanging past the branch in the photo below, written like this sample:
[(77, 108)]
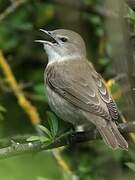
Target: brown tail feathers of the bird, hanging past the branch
[(112, 136)]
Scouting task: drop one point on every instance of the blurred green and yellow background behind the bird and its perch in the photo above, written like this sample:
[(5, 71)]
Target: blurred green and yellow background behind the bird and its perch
[(108, 28)]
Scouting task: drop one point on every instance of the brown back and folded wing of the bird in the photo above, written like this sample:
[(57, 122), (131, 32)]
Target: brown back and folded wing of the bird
[(80, 87)]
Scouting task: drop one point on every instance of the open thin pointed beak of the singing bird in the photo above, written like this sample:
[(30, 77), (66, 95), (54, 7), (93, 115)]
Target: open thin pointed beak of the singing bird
[(51, 40)]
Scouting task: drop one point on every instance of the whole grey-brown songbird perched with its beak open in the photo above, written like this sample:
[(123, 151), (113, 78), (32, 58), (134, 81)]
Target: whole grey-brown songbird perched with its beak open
[(76, 92)]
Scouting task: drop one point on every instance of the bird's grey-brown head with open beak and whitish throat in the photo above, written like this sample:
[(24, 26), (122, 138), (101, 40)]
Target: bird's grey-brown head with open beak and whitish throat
[(63, 45)]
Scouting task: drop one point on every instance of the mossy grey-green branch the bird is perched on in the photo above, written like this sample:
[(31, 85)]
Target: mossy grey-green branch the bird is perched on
[(64, 140)]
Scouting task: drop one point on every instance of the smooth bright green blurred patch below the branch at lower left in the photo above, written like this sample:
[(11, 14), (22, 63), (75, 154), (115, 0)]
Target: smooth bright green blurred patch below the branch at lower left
[(30, 167)]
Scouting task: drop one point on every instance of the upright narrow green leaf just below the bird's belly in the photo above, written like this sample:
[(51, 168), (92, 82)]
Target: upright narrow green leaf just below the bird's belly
[(53, 123)]
